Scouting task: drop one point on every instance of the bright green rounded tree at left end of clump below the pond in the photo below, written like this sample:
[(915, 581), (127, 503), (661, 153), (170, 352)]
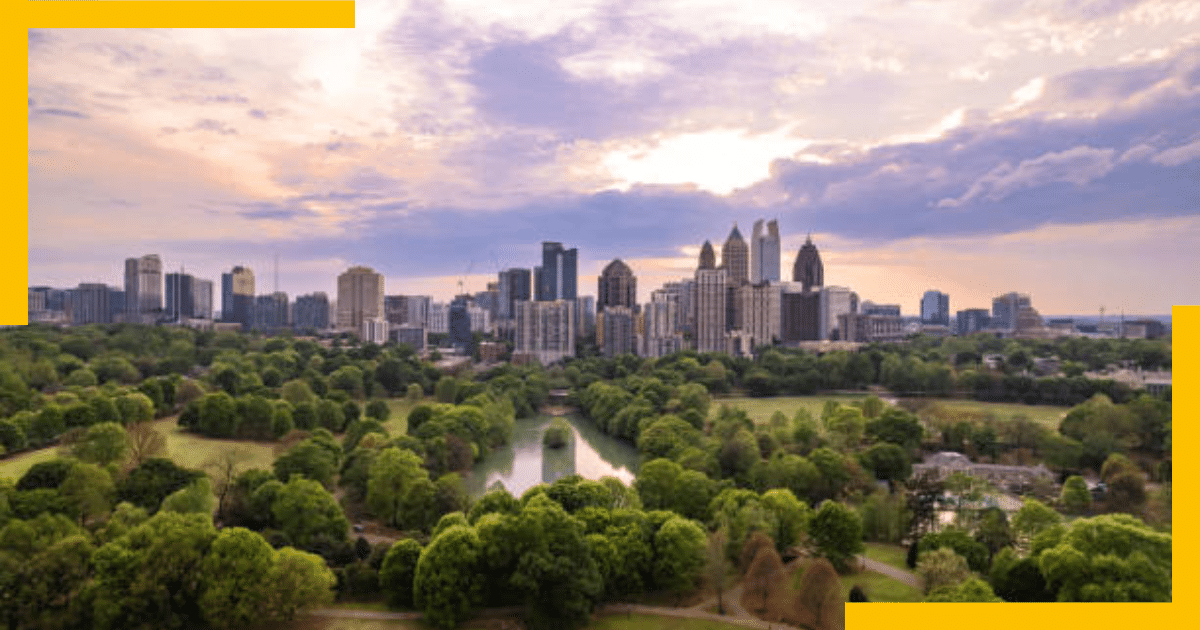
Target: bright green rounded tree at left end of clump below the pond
[(447, 584)]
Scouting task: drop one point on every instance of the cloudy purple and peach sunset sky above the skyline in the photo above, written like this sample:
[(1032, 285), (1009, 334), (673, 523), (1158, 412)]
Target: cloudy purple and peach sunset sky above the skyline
[(976, 148)]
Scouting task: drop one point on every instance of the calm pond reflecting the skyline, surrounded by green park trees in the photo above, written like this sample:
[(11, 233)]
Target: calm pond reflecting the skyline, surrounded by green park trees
[(525, 463)]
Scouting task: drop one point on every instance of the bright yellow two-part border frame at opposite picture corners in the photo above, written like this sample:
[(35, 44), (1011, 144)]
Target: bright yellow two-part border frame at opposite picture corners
[(320, 14)]
